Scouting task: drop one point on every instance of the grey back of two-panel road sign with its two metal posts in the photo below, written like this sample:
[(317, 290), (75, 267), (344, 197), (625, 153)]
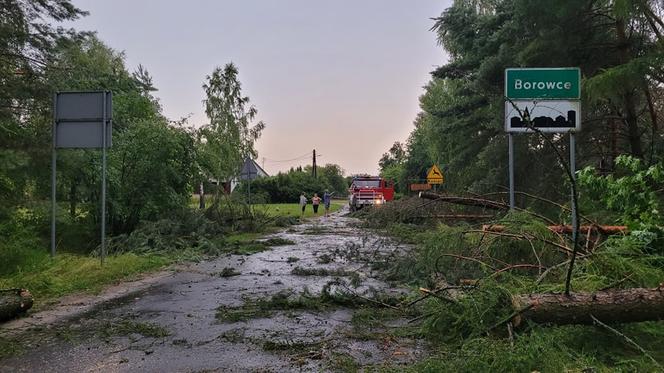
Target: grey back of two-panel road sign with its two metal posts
[(82, 120)]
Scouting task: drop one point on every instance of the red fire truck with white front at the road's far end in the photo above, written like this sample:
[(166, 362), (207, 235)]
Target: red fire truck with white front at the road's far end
[(369, 191)]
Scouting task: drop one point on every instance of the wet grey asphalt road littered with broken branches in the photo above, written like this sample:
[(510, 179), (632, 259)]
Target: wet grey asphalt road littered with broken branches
[(174, 326)]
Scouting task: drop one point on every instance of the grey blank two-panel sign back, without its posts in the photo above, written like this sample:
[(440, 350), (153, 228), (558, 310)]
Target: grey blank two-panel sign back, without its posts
[(79, 119)]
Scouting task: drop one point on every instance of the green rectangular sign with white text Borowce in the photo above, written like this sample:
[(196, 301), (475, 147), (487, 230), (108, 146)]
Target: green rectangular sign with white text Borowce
[(543, 83)]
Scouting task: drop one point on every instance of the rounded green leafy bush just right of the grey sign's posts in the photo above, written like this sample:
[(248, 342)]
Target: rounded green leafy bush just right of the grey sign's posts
[(137, 189)]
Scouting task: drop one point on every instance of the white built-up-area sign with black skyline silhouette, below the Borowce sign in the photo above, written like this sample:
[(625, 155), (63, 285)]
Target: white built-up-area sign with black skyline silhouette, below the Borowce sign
[(546, 116)]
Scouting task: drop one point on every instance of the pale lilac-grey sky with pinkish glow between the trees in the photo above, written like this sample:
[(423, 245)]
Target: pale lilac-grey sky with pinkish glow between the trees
[(342, 77)]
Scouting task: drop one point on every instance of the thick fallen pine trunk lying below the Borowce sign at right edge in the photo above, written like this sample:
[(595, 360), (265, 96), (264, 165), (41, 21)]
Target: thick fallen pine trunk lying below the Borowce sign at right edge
[(610, 306)]
